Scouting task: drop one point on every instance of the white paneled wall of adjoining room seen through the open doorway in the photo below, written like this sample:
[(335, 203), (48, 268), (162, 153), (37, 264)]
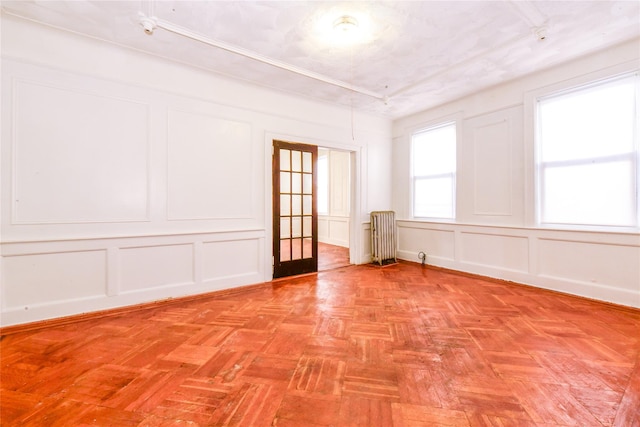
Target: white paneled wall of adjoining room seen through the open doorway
[(333, 227)]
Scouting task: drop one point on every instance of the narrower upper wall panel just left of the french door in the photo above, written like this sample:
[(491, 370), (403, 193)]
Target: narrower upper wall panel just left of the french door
[(204, 152)]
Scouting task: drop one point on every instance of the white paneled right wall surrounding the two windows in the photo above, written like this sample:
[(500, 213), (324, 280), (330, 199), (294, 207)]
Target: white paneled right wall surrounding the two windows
[(495, 233)]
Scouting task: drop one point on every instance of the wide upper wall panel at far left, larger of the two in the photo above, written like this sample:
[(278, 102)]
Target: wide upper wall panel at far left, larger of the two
[(78, 156)]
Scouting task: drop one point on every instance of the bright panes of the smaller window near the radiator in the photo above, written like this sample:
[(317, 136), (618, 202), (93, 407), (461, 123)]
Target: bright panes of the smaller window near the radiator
[(434, 171)]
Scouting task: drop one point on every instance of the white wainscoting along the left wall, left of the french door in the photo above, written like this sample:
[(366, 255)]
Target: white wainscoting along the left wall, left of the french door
[(49, 279)]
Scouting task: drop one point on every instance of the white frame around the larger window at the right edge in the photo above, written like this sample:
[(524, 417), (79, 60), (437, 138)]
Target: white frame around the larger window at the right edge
[(533, 114)]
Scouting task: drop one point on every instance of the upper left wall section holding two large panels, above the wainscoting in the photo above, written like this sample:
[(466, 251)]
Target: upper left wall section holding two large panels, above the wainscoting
[(85, 186)]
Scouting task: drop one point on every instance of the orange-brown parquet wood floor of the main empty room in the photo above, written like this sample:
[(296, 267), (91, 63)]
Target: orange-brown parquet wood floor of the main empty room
[(358, 346)]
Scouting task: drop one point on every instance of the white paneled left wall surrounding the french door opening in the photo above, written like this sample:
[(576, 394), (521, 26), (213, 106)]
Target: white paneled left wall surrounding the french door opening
[(128, 178)]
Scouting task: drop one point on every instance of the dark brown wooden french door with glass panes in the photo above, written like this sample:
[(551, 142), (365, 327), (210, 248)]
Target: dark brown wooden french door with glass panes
[(295, 217)]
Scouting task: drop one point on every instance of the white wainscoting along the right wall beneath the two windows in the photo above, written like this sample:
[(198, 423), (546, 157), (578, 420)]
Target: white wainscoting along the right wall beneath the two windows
[(598, 265)]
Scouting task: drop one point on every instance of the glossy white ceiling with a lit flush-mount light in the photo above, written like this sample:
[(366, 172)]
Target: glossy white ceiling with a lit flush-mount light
[(411, 55)]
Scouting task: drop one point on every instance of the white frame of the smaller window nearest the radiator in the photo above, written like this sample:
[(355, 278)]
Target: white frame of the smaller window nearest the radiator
[(445, 122)]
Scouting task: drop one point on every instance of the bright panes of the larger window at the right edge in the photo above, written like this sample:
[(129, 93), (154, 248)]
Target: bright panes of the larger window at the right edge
[(587, 155)]
